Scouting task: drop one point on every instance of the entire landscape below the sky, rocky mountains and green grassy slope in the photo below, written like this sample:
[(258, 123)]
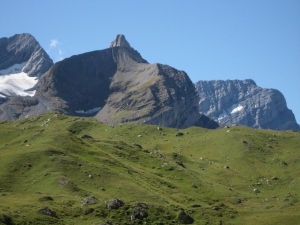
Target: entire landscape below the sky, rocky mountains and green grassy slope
[(97, 138)]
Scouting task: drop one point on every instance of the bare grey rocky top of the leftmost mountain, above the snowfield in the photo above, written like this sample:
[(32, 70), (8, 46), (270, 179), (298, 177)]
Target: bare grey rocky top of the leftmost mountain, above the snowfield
[(24, 48)]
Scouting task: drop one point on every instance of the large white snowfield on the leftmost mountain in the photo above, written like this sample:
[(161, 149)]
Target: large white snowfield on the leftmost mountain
[(14, 82)]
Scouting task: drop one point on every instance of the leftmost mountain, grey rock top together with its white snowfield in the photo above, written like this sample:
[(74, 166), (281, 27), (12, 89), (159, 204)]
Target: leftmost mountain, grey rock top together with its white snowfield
[(22, 62)]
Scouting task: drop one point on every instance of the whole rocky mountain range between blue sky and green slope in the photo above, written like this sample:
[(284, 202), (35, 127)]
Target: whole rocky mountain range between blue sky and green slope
[(116, 85)]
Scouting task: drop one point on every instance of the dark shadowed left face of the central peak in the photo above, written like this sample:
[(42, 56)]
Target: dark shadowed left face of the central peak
[(80, 82)]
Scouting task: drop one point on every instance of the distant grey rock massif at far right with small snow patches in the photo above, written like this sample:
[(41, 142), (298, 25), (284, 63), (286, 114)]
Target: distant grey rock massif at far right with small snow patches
[(243, 102)]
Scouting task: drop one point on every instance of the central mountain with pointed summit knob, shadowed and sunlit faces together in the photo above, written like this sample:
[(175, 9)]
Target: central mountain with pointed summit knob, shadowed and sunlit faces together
[(118, 80)]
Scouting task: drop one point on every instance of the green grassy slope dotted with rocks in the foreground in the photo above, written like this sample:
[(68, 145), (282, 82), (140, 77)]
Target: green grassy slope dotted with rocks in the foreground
[(70, 158)]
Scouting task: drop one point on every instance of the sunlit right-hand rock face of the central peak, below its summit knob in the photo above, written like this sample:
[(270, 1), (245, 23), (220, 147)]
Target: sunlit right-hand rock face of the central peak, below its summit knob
[(151, 94)]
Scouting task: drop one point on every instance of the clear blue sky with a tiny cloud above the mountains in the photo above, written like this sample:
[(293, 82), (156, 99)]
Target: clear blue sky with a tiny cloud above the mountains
[(209, 40)]
